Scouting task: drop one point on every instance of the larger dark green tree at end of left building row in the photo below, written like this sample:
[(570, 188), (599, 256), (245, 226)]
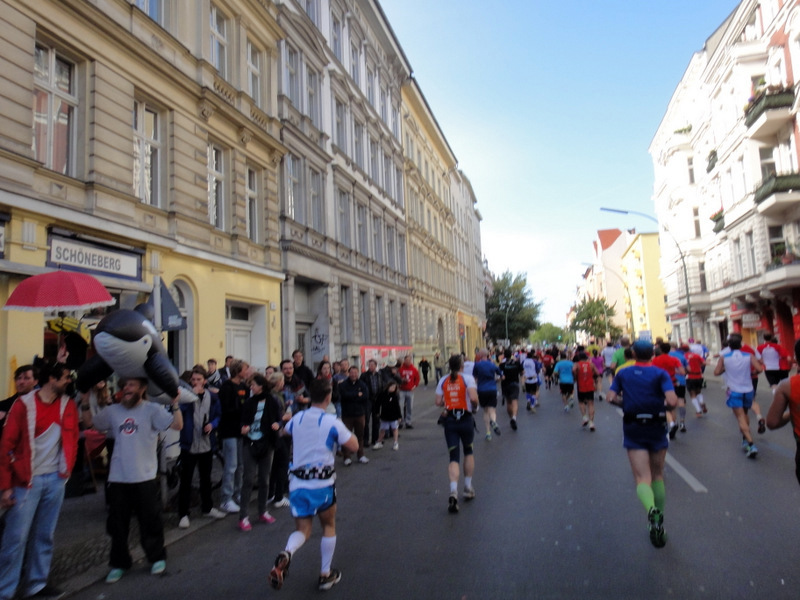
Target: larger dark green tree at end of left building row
[(511, 299)]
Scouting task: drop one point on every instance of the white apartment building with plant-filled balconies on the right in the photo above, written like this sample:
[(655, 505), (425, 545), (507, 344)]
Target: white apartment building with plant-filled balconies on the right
[(727, 181)]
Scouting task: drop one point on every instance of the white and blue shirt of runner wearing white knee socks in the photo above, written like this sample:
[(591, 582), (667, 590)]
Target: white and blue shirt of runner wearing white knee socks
[(316, 435)]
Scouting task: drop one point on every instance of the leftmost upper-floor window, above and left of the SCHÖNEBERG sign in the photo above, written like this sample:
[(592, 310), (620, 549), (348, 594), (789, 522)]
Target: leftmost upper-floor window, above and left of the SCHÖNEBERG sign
[(54, 108)]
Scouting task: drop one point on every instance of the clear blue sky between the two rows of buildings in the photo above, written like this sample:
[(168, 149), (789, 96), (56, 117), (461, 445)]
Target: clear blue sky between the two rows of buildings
[(550, 107)]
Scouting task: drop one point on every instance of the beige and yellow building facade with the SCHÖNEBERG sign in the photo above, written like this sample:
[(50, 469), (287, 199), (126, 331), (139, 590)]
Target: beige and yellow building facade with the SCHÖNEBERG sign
[(144, 132)]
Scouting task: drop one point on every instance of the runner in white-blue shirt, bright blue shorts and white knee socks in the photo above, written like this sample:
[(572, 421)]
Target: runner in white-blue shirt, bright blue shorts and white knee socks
[(312, 490)]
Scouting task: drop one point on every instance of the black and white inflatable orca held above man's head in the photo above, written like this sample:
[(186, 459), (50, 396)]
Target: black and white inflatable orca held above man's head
[(129, 345)]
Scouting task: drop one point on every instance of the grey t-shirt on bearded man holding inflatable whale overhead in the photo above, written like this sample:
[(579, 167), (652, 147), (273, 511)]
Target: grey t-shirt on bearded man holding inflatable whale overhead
[(135, 434)]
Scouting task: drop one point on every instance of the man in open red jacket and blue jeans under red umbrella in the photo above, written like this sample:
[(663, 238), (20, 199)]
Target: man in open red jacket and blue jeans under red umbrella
[(37, 453)]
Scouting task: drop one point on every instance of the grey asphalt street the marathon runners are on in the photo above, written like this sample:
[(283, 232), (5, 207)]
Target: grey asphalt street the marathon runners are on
[(556, 516)]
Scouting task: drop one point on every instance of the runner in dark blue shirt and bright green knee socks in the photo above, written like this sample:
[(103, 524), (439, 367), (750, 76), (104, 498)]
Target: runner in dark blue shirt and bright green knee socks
[(645, 393)]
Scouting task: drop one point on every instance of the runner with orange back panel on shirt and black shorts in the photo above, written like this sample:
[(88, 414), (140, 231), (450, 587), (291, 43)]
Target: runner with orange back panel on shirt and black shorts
[(458, 394)]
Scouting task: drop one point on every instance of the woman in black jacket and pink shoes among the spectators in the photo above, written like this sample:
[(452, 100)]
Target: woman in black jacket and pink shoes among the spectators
[(261, 416)]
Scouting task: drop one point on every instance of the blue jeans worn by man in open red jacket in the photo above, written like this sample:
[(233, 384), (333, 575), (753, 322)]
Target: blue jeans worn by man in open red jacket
[(30, 526)]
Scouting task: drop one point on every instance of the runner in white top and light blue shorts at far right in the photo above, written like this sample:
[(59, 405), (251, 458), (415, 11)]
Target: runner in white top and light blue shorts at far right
[(737, 366)]
